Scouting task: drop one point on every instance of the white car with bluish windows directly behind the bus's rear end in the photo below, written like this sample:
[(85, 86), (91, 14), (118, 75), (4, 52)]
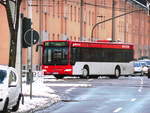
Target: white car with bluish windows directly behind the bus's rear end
[(140, 68)]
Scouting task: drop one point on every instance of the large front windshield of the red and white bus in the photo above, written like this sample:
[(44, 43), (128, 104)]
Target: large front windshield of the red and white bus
[(55, 56)]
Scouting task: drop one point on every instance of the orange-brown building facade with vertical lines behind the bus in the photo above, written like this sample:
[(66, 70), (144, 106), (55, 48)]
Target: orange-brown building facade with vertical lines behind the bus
[(74, 20)]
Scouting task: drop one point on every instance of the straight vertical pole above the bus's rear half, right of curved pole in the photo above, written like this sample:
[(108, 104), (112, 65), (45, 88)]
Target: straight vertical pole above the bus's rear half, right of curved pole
[(113, 20)]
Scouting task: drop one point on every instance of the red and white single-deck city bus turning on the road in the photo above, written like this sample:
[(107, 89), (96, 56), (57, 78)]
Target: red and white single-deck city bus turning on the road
[(86, 59)]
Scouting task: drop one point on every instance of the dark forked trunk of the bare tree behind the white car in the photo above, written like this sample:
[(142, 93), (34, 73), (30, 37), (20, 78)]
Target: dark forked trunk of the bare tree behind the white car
[(13, 22)]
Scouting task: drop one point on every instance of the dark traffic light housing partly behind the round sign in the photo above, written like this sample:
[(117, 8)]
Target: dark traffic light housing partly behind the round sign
[(26, 25)]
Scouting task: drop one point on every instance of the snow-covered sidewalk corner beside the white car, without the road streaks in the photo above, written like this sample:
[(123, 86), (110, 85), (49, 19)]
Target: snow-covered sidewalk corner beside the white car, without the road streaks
[(42, 96)]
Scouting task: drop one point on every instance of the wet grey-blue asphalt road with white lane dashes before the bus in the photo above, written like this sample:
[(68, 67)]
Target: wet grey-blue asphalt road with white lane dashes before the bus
[(104, 95)]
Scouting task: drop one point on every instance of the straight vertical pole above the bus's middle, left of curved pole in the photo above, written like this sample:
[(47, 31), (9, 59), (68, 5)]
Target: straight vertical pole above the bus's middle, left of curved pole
[(81, 20)]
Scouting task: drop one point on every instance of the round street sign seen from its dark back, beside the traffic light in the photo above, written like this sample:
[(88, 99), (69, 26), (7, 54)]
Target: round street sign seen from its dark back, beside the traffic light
[(31, 35)]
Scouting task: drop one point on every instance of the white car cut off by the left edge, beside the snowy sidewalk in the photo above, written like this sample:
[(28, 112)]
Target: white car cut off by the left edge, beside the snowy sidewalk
[(10, 89)]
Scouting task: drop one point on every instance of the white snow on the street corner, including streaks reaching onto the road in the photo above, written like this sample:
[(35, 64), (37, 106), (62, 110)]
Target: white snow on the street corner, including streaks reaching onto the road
[(42, 94)]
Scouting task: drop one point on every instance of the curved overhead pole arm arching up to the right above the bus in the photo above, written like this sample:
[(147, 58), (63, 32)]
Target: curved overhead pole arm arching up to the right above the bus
[(110, 20)]
